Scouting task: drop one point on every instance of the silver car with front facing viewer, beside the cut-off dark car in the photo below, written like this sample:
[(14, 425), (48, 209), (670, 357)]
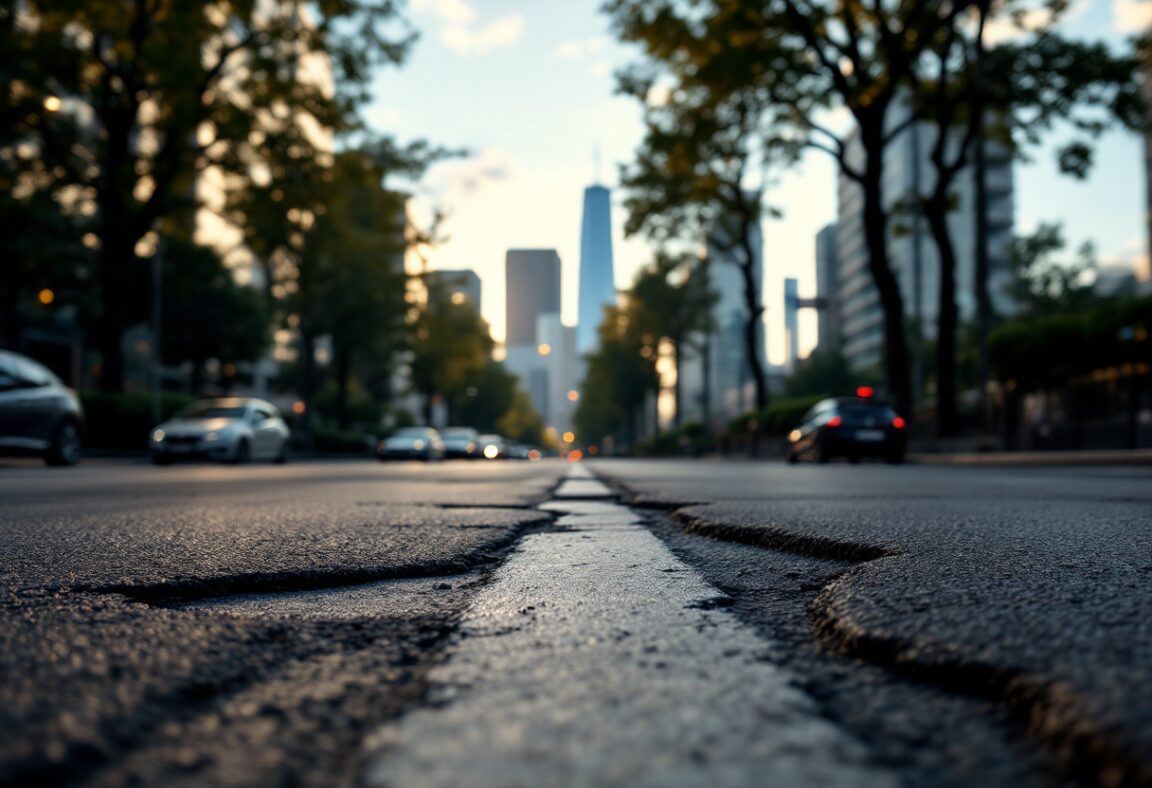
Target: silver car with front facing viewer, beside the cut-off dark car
[(228, 430)]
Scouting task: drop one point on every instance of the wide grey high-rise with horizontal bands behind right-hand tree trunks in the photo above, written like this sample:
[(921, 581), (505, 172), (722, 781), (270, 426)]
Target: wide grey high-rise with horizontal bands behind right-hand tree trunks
[(912, 253)]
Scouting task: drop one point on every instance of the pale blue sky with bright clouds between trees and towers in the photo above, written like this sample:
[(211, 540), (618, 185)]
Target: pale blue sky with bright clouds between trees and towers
[(528, 89)]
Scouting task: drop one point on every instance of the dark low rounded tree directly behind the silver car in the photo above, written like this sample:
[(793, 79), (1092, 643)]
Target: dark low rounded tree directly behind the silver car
[(206, 314)]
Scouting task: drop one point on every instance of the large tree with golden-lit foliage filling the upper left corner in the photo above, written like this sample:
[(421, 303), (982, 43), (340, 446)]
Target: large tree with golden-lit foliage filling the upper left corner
[(117, 105)]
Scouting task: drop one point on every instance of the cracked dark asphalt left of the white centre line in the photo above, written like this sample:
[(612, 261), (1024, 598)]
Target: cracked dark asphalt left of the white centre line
[(112, 675)]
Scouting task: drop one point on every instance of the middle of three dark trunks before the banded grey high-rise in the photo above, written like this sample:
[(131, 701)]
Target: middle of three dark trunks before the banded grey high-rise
[(937, 213)]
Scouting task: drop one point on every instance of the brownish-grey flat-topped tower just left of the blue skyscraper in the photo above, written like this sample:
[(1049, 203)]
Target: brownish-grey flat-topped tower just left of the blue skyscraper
[(533, 289)]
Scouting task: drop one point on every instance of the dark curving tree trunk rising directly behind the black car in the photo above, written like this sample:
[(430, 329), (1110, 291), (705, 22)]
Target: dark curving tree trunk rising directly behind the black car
[(876, 232)]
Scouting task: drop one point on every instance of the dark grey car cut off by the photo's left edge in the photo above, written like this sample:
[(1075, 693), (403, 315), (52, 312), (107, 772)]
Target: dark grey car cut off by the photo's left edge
[(40, 415)]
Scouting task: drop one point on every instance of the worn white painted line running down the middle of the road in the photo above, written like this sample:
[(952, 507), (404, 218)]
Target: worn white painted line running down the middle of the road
[(590, 661)]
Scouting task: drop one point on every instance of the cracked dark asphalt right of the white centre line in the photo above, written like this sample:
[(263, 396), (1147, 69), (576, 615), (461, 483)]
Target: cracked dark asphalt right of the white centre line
[(996, 623)]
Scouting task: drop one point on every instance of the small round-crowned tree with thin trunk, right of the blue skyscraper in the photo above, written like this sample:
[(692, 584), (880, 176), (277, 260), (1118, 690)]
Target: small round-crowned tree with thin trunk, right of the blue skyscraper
[(673, 312)]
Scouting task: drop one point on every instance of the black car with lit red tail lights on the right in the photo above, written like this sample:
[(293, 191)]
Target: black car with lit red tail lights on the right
[(852, 428)]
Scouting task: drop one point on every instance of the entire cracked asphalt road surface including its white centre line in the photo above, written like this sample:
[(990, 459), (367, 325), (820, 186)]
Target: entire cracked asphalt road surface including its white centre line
[(525, 624)]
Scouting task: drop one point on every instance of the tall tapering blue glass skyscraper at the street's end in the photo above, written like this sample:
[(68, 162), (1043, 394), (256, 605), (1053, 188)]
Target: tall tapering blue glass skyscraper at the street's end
[(597, 286)]
